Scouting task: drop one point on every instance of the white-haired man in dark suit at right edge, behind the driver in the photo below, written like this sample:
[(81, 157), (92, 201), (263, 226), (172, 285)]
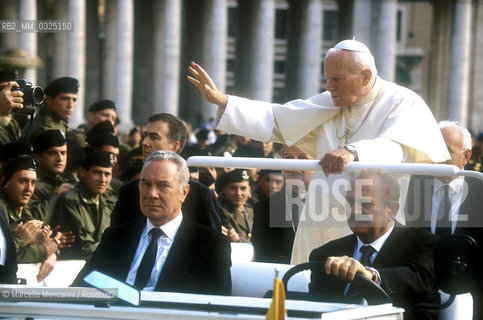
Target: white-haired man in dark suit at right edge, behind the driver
[(450, 205)]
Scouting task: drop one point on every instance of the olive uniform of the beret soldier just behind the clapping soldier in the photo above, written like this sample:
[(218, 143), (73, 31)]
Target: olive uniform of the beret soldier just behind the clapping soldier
[(44, 199)]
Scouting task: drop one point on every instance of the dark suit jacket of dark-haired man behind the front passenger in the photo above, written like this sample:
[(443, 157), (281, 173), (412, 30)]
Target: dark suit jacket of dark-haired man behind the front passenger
[(200, 205)]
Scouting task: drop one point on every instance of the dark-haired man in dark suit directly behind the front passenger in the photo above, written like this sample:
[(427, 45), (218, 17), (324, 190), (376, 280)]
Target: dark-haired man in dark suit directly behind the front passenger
[(165, 131)]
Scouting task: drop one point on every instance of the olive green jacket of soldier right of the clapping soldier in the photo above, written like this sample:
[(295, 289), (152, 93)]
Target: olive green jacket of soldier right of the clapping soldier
[(77, 212)]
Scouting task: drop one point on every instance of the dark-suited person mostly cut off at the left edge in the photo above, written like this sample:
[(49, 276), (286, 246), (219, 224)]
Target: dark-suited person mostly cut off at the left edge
[(8, 256)]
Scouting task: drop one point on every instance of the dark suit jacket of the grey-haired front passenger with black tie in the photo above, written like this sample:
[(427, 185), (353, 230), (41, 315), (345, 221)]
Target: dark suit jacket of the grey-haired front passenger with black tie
[(198, 261)]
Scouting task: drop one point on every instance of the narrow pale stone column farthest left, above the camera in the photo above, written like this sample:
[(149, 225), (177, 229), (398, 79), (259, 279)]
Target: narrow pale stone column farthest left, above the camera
[(28, 40)]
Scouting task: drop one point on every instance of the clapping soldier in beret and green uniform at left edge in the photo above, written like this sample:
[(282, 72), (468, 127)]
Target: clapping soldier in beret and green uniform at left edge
[(33, 241)]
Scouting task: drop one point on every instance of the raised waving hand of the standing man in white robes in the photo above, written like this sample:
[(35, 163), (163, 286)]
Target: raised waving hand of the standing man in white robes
[(205, 84)]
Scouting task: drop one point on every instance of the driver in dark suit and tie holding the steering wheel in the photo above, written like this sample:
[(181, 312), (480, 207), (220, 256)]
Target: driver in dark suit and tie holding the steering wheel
[(398, 259)]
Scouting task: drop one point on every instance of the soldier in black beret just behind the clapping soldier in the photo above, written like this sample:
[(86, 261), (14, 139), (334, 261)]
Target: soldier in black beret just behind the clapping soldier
[(50, 152)]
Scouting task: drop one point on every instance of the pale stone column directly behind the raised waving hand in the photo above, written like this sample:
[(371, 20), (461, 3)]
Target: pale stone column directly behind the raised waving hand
[(215, 34)]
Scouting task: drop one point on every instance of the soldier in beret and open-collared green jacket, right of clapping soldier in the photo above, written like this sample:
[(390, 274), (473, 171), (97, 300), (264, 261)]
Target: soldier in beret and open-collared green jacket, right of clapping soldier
[(86, 209)]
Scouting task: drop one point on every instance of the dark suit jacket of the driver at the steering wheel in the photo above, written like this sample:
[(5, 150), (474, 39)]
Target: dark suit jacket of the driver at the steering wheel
[(405, 263)]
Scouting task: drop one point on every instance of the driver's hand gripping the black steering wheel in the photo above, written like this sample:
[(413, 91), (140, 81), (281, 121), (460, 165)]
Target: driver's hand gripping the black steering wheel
[(345, 268)]
